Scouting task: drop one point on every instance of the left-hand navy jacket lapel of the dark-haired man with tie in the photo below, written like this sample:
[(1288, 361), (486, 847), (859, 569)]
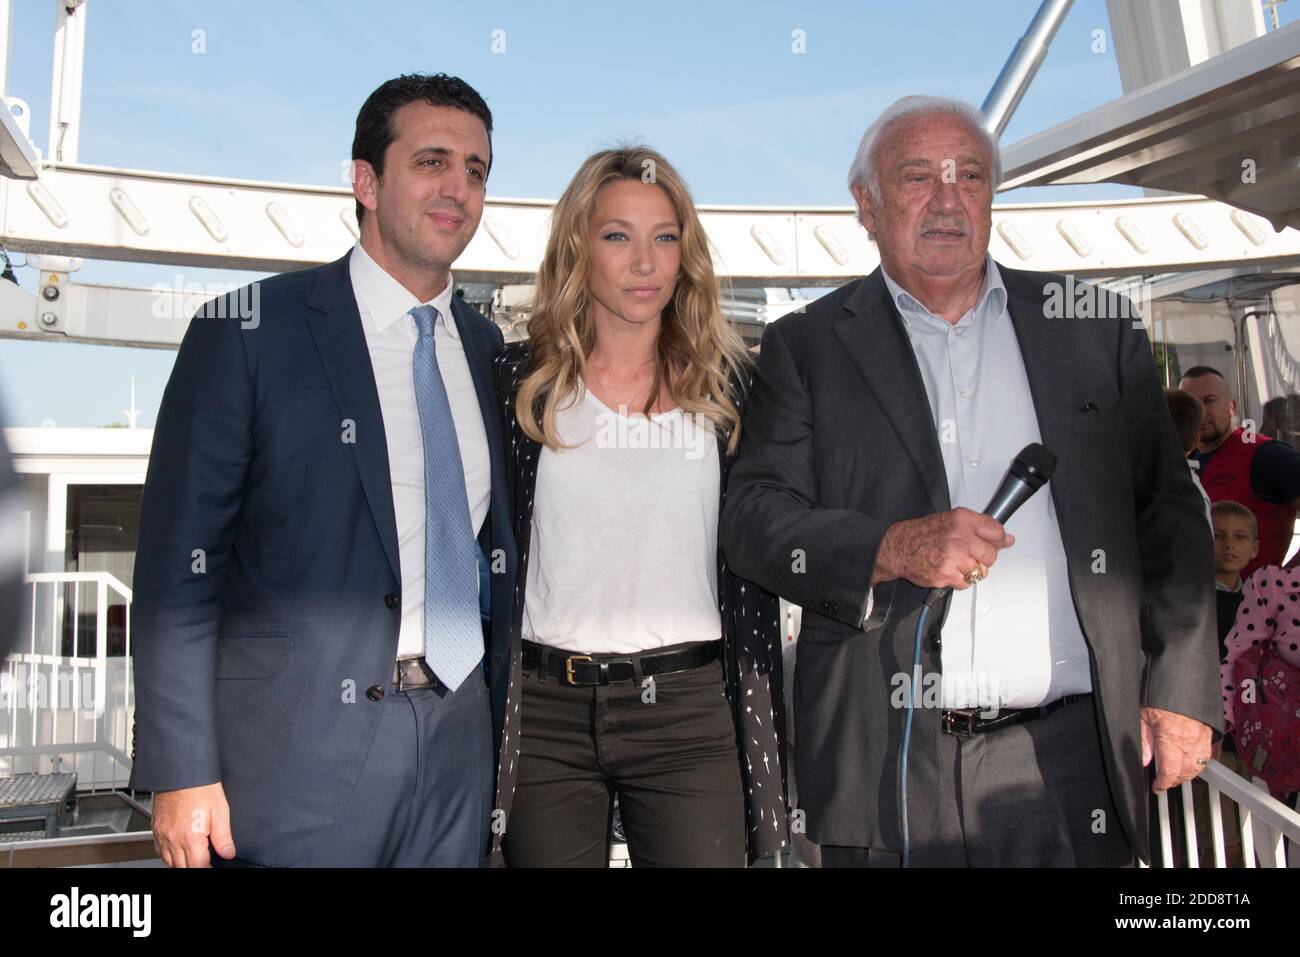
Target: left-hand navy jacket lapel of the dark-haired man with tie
[(341, 341)]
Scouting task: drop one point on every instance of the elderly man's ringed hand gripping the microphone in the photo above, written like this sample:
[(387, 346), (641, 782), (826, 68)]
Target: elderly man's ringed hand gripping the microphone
[(941, 551)]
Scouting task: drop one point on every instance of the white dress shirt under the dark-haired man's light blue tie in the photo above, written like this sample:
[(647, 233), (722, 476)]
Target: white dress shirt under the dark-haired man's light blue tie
[(391, 334)]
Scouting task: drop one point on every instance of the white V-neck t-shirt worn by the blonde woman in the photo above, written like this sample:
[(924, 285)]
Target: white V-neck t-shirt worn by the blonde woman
[(625, 544)]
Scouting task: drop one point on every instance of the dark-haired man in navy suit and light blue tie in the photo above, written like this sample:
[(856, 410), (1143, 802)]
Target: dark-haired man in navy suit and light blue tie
[(326, 564)]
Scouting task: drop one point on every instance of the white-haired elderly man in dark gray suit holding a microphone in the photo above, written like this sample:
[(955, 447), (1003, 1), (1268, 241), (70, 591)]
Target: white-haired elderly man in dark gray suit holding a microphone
[(1077, 642)]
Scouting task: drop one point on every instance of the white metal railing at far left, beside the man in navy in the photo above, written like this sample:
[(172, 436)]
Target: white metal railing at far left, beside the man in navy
[(60, 707)]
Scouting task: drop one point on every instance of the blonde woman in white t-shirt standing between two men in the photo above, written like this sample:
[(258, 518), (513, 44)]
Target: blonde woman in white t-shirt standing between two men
[(643, 668)]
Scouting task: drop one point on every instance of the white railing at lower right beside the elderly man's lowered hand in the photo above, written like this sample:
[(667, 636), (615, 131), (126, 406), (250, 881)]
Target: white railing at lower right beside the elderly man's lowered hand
[(1263, 824)]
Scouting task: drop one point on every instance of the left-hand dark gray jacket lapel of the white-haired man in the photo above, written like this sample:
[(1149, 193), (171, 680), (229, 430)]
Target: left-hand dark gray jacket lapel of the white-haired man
[(874, 337)]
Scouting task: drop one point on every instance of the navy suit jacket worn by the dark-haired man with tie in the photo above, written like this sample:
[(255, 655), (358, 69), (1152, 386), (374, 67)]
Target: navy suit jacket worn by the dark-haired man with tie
[(267, 591)]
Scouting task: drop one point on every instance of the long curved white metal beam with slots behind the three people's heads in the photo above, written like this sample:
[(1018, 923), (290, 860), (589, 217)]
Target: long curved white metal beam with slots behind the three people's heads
[(154, 218)]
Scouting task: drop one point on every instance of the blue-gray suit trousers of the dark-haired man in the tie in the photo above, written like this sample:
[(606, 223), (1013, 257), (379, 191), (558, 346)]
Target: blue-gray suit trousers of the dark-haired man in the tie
[(424, 798)]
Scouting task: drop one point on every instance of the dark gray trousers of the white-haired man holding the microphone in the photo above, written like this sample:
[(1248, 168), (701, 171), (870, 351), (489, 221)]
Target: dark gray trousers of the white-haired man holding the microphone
[(1033, 795)]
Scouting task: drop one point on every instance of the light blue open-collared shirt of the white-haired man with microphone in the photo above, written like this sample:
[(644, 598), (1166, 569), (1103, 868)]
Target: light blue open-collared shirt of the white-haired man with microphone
[(1015, 639)]
